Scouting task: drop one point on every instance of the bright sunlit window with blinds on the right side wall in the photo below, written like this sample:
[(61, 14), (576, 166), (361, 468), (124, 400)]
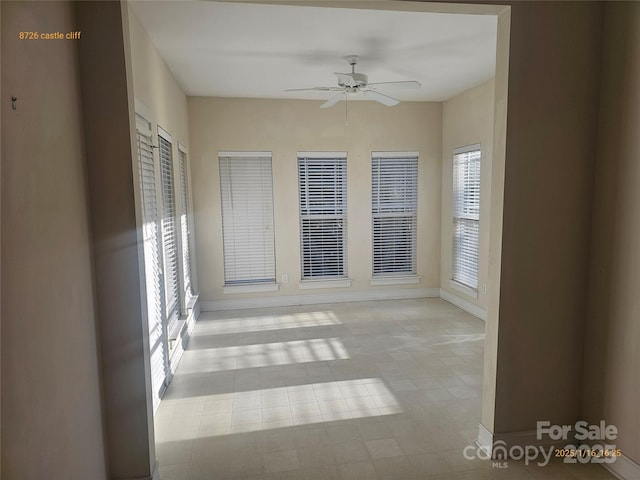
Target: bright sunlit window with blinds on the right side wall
[(466, 215)]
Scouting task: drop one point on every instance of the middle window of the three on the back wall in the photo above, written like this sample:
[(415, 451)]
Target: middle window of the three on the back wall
[(322, 180)]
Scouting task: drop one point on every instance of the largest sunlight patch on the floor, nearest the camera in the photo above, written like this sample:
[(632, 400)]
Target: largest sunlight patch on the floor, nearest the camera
[(270, 408)]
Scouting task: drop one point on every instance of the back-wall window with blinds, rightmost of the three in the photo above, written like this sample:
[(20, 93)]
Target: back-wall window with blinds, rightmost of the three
[(394, 205)]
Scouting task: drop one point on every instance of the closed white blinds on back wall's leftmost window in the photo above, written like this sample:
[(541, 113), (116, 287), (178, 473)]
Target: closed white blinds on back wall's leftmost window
[(246, 187)]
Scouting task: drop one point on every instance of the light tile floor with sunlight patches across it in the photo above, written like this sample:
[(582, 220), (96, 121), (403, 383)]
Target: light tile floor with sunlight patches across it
[(370, 390)]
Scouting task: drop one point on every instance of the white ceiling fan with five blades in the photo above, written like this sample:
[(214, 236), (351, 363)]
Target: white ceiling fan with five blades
[(354, 83)]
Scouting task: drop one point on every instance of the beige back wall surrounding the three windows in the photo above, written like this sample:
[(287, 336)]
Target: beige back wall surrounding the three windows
[(287, 126)]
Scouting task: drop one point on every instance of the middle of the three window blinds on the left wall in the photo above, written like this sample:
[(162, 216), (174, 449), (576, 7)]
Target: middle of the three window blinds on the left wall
[(169, 232)]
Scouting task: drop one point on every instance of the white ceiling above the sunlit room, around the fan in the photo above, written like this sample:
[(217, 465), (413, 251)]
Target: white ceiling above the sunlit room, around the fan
[(257, 51)]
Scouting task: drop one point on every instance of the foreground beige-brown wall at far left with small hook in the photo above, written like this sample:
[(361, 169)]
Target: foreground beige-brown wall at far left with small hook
[(51, 402)]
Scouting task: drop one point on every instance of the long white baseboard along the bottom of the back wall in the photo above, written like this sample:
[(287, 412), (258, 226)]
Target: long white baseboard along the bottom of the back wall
[(318, 298)]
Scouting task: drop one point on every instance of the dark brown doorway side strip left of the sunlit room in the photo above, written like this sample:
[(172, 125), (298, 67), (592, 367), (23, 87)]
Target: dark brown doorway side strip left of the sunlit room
[(105, 66)]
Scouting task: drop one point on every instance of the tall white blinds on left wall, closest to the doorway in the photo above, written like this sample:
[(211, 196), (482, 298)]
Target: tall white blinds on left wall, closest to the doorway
[(152, 259)]
